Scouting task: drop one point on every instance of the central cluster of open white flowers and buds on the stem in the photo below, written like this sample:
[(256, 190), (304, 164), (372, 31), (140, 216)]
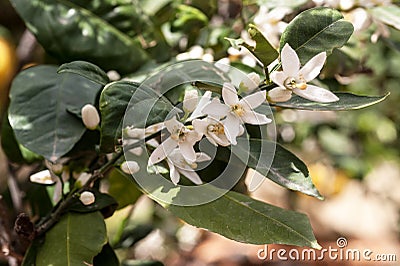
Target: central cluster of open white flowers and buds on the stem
[(220, 122)]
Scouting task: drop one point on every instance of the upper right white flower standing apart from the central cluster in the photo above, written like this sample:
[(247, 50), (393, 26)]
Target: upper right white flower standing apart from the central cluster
[(294, 79)]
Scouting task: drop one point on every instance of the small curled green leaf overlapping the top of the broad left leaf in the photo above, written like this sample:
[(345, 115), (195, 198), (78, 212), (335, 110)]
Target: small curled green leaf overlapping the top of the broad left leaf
[(85, 69)]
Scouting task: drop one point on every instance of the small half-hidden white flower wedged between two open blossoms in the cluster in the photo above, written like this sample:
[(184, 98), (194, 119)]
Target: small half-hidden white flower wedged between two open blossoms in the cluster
[(212, 129)]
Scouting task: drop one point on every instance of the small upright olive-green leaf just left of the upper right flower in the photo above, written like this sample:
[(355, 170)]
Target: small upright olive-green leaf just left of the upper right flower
[(263, 50)]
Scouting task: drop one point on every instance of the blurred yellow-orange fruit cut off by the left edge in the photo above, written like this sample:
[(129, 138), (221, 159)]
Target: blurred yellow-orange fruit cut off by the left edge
[(8, 65)]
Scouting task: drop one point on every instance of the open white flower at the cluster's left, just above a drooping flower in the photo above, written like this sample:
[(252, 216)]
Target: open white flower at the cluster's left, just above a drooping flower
[(182, 136)]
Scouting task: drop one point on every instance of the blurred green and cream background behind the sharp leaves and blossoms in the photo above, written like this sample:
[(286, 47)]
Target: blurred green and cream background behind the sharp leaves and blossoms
[(353, 156)]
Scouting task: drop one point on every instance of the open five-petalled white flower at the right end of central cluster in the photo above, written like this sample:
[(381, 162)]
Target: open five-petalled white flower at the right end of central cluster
[(237, 111)]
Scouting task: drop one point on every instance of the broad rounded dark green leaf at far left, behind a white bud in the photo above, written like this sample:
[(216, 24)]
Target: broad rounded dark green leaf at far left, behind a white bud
[(38, 109)]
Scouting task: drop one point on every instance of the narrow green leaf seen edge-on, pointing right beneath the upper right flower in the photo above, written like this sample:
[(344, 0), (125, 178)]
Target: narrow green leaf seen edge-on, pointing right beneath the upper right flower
[(347, 101)]
